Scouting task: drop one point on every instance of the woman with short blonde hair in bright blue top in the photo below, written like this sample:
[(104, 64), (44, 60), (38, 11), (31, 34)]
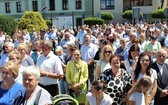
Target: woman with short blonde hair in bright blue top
[(10, 91)]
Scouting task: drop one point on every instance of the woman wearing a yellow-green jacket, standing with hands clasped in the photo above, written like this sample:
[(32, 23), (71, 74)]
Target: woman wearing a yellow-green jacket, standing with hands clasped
[(76, 76)]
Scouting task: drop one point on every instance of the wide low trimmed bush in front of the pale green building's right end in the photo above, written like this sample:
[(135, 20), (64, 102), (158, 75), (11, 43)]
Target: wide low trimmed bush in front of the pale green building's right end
[(93, 20)]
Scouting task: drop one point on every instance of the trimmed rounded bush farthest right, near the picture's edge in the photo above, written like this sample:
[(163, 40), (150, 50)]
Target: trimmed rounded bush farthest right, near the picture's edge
[(159, 13)]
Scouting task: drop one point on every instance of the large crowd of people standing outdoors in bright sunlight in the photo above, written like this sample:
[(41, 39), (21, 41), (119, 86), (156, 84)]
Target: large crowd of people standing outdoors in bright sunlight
[(98, 65)]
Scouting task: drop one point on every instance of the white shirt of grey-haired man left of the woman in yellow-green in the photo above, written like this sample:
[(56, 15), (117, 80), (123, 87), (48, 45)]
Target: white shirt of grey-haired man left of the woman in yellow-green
[(52, 64)]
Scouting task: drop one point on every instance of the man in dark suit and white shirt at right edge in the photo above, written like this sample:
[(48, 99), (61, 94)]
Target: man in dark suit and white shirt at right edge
[(161, 96)]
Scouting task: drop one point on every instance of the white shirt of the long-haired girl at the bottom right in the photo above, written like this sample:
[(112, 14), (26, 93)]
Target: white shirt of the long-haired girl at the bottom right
[(138, 97)]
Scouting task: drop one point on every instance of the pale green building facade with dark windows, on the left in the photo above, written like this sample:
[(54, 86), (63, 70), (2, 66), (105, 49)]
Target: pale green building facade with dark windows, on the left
[(78, 9)]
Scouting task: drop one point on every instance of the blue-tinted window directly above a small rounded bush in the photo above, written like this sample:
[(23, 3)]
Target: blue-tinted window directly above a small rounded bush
[(107, 4)]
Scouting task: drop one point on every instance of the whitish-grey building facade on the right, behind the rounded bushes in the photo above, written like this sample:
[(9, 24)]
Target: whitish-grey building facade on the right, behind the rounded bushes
[(117, 7)]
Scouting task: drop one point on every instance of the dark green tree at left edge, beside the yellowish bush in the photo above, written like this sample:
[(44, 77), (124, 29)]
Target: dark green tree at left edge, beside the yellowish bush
[(8, 24)]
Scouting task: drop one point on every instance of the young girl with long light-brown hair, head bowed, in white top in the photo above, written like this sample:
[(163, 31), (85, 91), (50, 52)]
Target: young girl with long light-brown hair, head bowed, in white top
[(139, 95)]
